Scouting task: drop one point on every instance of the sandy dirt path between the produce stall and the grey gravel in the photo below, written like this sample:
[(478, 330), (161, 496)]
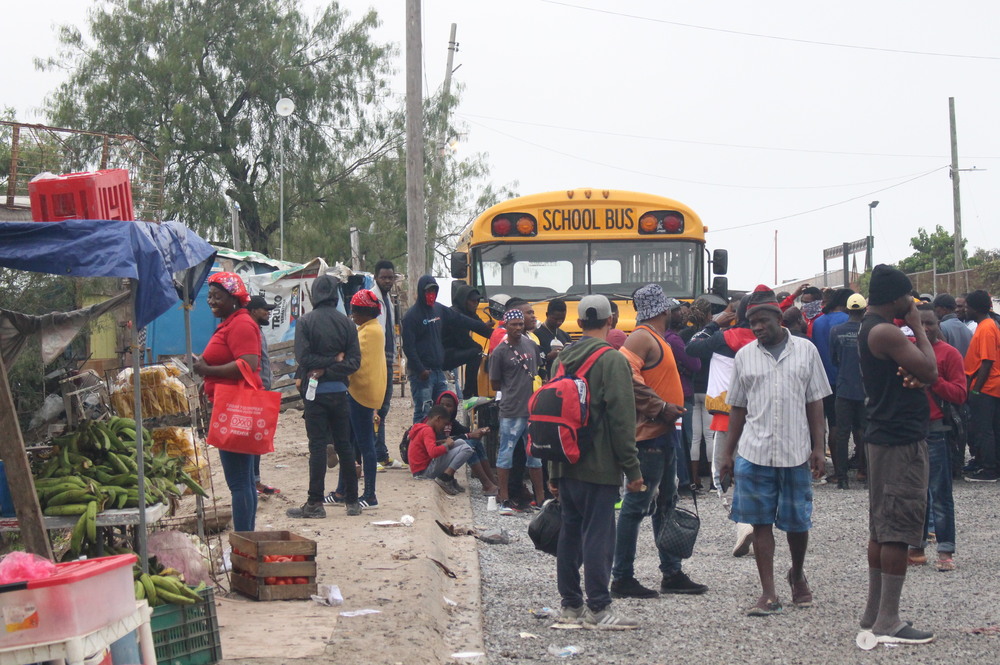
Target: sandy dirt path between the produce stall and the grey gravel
[(389, 569)]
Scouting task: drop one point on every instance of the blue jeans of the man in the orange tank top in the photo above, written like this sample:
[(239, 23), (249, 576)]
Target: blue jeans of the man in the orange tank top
[(658, 463)]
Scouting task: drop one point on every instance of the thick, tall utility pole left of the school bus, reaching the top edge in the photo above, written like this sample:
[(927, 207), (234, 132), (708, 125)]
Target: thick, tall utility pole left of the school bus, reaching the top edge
[(416, 228)]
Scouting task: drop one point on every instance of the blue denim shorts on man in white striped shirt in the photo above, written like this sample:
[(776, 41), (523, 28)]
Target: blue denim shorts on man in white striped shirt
[(781, 496)]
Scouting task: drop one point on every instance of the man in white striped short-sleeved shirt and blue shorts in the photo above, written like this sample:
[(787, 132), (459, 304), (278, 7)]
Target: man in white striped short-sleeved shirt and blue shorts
[(776, 395)]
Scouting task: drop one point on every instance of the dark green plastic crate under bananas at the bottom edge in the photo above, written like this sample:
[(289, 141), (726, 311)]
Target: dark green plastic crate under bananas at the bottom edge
[(187, 634)]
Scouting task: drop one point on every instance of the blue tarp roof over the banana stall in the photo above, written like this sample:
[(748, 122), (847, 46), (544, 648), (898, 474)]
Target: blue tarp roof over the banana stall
[(159, 256)]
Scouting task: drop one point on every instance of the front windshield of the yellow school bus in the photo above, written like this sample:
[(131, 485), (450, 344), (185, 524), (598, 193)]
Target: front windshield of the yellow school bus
[(542, 270)]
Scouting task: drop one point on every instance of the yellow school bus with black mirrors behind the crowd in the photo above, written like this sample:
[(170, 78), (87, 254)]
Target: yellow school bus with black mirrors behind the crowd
[(568, 244)]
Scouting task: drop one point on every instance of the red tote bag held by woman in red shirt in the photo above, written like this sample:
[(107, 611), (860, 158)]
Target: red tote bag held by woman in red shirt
[(244, 416)]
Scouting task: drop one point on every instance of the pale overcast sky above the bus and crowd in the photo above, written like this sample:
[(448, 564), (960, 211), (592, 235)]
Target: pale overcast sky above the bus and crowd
[(784, 116)]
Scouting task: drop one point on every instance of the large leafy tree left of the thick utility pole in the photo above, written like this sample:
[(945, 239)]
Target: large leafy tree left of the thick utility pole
[(196, 82)]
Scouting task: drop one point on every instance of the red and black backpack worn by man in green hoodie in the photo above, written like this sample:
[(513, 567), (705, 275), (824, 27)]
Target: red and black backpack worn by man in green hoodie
[(559, 428)]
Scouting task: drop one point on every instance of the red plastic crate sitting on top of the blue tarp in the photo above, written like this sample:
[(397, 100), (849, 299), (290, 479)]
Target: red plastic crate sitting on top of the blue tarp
[(92, 195)]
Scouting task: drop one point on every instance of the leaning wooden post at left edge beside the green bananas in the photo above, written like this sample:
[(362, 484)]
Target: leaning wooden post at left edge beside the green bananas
[(22, 485)]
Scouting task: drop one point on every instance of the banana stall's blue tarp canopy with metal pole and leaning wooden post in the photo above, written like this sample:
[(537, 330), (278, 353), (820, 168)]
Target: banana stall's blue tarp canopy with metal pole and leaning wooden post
[(163, 262)]
